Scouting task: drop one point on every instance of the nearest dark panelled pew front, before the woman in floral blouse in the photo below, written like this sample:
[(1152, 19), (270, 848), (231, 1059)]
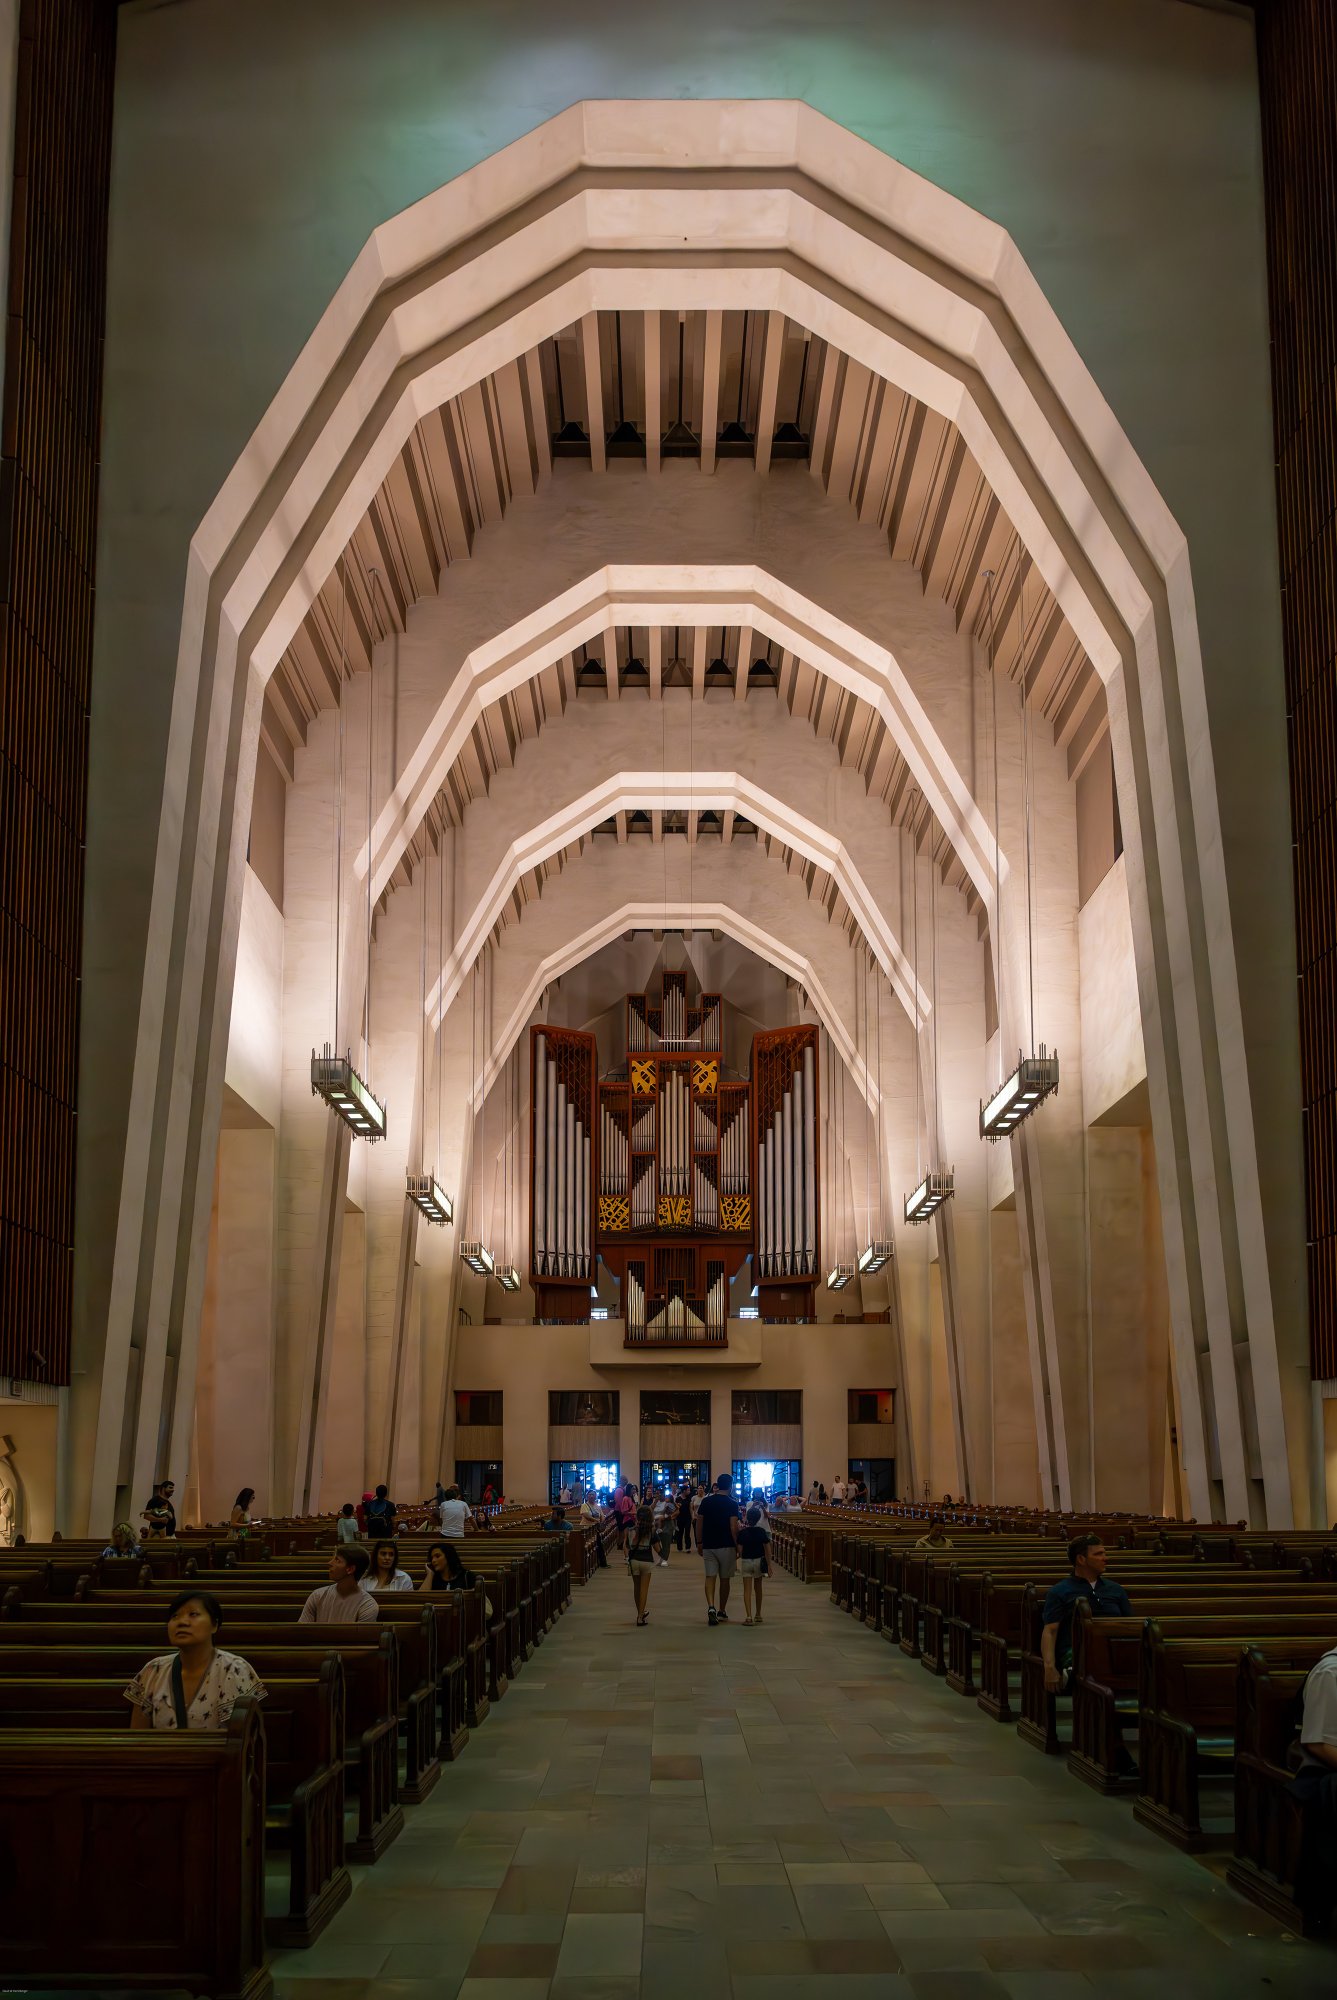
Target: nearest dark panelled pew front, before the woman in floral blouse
[(197, 1797)]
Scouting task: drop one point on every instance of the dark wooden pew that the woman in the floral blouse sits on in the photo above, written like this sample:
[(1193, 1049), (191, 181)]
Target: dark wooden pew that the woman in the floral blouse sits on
[(305, 1773)]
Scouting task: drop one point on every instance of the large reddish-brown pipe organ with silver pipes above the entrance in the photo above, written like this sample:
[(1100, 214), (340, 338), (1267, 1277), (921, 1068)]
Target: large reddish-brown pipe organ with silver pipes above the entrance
[(694, 1171)]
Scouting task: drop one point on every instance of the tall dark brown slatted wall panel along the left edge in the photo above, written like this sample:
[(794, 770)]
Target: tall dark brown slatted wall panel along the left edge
[(49, 501)]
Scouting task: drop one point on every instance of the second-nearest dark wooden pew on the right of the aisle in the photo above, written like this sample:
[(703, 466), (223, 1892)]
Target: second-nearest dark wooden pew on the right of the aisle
[(1188, 1719)]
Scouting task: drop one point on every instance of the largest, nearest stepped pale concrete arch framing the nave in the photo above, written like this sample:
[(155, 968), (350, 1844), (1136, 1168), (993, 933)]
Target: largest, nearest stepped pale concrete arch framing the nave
[(766, 207)]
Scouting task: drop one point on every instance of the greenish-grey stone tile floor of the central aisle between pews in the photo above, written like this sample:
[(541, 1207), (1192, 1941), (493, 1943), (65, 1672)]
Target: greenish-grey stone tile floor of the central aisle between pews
[(782, 1813)]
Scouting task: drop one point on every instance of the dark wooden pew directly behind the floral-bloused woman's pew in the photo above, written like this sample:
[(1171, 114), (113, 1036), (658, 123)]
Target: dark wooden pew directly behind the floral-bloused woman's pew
[(371, 1685)]
